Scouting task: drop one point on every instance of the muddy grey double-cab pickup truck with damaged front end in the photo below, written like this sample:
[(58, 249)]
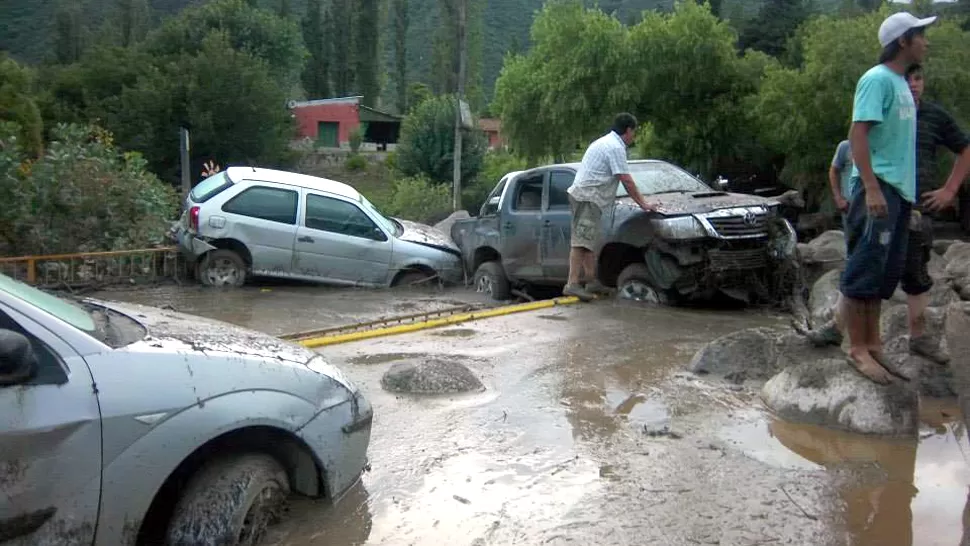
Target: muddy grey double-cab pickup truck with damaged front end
[(699, 242)]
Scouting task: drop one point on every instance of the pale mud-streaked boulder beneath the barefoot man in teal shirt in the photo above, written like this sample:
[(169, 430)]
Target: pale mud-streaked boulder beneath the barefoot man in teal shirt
[(831, 393)]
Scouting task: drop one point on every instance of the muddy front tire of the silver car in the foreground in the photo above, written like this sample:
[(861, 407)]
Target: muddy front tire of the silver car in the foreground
[(230, 501)]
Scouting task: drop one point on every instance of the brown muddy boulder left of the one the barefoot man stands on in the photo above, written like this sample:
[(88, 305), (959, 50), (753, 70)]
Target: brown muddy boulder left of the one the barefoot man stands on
[(738, 356)]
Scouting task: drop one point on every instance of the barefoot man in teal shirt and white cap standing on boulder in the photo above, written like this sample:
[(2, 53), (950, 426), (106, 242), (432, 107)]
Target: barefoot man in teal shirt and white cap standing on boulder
[(883, 142)]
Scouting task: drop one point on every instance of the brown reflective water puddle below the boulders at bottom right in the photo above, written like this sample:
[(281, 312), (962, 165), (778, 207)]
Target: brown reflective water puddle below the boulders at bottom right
[(892, 491)]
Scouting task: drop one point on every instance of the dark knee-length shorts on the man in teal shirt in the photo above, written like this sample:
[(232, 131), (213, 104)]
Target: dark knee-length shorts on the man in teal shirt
[(876, 246)]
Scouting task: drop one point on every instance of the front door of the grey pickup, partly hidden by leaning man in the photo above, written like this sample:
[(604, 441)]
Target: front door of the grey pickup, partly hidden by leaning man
[(556, 223)]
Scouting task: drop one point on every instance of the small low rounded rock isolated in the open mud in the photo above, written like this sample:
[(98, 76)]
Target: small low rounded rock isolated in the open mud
[(432, 376)]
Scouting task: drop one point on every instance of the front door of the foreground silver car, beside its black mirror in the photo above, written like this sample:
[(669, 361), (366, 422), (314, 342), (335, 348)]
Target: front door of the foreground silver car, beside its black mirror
[(50, 445)]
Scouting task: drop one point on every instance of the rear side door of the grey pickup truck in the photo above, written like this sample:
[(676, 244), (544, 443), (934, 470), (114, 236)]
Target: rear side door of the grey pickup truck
[(521, 229)]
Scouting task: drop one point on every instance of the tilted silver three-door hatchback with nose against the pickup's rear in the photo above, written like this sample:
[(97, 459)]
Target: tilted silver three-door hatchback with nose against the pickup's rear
[(279, 224)]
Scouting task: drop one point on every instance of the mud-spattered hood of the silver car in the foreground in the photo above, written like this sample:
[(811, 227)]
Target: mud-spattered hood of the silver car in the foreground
[(209, 335)]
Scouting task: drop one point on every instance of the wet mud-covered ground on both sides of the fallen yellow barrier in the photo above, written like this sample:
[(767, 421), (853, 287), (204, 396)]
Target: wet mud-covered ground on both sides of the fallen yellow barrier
[(588, 433)]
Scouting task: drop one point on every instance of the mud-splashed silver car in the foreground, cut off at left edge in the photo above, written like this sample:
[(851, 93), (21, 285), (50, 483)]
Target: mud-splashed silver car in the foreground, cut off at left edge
[(125, 425)]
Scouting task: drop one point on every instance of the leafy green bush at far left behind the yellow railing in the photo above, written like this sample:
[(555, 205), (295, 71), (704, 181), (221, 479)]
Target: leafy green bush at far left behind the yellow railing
[(81, 195)]
